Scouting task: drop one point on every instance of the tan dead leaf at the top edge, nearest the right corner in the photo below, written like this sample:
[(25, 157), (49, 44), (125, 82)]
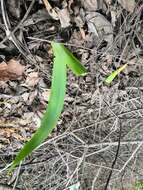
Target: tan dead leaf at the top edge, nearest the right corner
[(129, 5)]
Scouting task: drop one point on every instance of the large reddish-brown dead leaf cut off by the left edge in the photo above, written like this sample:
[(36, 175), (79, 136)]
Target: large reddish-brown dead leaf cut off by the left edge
[(10, 70)]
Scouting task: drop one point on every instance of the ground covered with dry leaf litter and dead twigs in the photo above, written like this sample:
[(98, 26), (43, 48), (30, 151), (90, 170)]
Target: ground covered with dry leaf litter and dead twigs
[(98, 142)]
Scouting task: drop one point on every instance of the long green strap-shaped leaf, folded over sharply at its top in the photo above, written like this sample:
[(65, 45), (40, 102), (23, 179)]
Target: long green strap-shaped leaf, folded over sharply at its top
[(63, 57)]
